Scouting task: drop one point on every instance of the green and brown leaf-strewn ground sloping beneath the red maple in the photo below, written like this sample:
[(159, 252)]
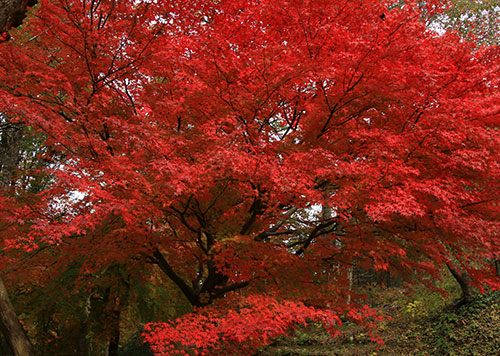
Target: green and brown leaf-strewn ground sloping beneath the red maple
[(422, 323)]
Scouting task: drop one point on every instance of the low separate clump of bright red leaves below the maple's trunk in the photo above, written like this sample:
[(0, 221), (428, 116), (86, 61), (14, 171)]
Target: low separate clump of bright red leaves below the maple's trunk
[(248, 324)]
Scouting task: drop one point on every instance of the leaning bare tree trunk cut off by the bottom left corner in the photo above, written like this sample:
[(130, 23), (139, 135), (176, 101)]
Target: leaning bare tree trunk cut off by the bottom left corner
[(14, 333)]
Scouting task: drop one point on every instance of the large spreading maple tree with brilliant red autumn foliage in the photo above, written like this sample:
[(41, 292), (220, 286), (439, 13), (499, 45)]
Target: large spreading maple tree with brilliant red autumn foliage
[(250, 147)]
